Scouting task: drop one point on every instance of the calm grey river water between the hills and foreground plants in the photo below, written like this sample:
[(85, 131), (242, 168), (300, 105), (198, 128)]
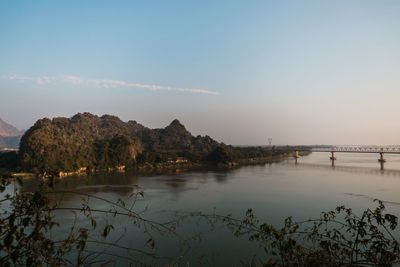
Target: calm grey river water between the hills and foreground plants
[(274, 191)]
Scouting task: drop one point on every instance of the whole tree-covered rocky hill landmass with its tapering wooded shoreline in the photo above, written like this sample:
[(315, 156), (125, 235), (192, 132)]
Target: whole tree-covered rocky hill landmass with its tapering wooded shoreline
[(89, 142)]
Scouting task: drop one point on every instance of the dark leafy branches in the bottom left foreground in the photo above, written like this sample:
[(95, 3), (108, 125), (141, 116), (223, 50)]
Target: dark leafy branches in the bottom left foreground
[(27, 221)]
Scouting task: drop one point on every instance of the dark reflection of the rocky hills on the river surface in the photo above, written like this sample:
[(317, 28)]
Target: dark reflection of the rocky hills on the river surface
[(124, 184)]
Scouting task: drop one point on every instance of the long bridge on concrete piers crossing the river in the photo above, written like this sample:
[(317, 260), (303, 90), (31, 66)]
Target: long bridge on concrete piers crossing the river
[(381, 150)]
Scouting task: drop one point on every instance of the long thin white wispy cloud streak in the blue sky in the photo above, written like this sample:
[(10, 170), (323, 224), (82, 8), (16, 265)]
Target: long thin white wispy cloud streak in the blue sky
[(102, 83)]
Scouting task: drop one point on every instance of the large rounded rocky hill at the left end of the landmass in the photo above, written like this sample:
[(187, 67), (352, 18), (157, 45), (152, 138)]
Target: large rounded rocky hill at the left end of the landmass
[(61, 144)]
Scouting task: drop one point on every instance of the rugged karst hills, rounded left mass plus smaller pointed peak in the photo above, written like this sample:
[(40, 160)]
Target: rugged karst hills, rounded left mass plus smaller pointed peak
[(86, 140)]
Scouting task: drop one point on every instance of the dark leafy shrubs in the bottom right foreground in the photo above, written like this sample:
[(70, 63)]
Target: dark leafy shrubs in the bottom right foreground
[(340, 237)]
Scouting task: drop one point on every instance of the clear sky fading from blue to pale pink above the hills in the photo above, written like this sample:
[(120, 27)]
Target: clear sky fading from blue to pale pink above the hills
[(299, 72)]
